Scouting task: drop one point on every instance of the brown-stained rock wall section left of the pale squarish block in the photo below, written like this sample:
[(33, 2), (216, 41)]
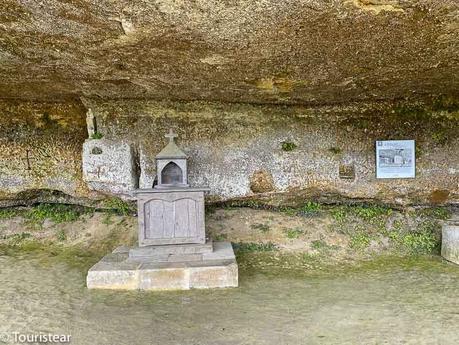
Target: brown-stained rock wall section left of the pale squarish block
[(40, 151)]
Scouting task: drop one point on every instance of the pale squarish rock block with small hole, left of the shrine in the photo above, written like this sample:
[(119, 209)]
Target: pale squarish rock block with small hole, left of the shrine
[(109, 166)]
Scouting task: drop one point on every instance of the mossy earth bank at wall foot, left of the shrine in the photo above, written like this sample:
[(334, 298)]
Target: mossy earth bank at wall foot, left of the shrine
[(57, 230)]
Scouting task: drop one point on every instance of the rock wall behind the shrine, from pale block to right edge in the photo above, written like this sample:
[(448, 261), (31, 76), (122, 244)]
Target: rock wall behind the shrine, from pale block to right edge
[(282, 154)]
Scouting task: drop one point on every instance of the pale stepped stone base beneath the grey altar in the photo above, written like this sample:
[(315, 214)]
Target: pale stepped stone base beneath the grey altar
[(217, 269)]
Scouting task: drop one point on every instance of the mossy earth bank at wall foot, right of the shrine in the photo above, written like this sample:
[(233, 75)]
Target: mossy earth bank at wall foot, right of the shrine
[(308, 237)]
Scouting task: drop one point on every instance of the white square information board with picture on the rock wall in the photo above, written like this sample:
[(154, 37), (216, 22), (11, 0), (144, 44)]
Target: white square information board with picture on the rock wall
[(395, 159)]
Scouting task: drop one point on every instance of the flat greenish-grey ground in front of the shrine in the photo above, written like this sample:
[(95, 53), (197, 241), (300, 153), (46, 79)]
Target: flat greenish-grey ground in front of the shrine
[(402, 301)]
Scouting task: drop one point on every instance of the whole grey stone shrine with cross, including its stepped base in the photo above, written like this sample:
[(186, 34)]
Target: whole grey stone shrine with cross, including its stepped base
[(173, 251)]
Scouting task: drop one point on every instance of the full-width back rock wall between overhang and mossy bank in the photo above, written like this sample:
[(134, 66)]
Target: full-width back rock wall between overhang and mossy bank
[(281, 155)]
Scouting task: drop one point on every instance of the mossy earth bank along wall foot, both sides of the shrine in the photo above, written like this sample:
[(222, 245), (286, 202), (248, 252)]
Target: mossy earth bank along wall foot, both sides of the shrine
[(310, 237)]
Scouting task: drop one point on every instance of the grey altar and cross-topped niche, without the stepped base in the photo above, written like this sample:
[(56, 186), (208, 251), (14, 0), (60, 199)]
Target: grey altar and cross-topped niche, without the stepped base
[(171, 212)]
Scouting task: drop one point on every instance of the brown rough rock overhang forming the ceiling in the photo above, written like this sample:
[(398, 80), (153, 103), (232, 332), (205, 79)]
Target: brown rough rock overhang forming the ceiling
[(256, 51)]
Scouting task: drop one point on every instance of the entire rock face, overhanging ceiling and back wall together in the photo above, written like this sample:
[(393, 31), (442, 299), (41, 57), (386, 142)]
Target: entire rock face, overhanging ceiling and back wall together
[(273, 100)]
